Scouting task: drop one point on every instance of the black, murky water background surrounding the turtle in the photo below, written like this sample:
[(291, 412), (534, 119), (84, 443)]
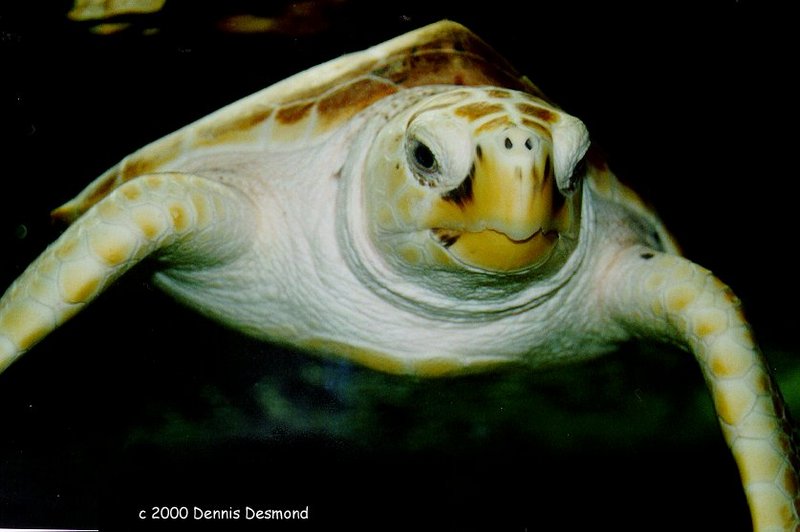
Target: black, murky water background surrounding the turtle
[(140, 403)]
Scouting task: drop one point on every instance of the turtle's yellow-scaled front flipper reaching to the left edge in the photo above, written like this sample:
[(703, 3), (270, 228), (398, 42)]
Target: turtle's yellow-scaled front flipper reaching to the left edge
[(186, 218)]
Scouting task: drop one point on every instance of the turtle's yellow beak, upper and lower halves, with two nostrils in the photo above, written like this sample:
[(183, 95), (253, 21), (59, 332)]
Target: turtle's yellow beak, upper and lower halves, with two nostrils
[(508, 213)]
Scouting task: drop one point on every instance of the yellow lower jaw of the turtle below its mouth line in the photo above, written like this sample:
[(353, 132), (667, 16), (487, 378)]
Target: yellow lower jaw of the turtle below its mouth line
[(495, 251)]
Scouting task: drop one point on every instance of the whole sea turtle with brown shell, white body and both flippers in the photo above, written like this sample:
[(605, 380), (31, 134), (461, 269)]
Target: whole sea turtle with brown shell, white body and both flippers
[(419, 208)]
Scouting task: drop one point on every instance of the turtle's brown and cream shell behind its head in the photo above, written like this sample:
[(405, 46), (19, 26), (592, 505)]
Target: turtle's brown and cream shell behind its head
[(306, 106)]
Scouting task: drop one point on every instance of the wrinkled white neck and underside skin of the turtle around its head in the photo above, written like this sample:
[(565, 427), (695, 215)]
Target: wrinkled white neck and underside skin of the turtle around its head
[(305, 285)]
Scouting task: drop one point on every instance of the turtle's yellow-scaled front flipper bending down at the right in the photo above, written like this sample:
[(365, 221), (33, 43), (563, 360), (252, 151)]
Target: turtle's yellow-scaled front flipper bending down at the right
[(668, 297)]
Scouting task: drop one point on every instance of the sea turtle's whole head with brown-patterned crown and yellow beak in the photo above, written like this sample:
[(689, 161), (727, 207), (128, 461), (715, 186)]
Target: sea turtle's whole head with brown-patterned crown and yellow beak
[(476, 178)]
